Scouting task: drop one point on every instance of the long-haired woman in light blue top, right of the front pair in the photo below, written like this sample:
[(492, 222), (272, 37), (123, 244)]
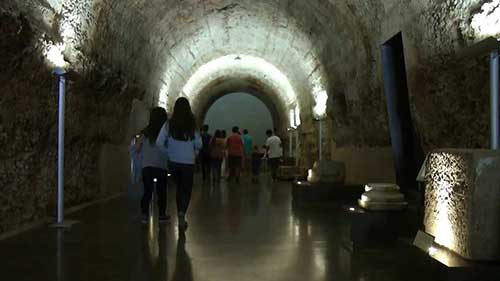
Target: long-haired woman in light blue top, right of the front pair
[(182, 141)]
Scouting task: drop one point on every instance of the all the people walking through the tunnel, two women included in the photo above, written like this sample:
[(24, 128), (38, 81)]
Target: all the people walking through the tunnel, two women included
[(173, 146)]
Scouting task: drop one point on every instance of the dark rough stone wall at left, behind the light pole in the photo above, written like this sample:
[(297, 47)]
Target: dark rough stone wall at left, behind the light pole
[(96, 112)]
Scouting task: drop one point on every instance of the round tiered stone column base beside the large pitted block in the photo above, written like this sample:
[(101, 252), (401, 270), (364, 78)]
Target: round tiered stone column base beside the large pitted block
[(382, 197)]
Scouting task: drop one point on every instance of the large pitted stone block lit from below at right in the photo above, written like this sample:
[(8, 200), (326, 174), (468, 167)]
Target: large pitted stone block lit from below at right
[(462, 202)]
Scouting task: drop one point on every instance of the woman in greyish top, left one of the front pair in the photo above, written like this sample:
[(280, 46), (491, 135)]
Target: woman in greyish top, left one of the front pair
[(154, 165)]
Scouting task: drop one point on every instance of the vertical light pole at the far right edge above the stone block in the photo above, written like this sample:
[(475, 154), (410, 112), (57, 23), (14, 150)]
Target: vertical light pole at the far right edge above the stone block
[(494, 98)]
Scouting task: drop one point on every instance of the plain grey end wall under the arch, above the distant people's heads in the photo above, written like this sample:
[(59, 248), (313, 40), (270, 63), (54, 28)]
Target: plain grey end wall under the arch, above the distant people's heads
[(243, 110)]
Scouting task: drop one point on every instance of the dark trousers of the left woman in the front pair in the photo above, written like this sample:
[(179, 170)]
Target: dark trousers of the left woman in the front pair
[(148, 175)]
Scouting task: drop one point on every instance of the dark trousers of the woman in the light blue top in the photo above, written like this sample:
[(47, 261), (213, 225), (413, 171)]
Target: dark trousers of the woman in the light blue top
[(183, 177)]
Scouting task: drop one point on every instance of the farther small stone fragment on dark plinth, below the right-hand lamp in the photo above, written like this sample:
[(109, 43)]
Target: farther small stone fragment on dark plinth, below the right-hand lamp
[(327, 171)]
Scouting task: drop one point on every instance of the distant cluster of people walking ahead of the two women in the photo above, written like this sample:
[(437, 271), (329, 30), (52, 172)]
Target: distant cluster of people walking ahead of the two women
[(226, 156)]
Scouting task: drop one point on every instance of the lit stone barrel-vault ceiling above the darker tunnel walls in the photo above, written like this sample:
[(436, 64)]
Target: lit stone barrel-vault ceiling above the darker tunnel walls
[(295, 51)]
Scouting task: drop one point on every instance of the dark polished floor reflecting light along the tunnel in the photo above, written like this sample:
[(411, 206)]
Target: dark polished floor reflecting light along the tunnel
[(237, 232)]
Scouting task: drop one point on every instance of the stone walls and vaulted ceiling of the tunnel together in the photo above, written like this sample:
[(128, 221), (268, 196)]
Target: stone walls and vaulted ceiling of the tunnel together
[(125, 57)]
